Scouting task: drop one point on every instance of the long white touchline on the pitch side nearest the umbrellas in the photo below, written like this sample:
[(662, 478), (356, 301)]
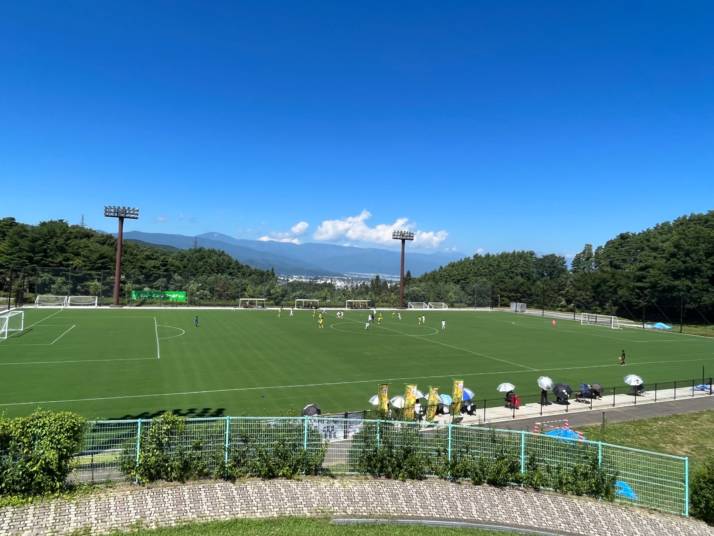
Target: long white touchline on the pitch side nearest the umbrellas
[(327, 384)]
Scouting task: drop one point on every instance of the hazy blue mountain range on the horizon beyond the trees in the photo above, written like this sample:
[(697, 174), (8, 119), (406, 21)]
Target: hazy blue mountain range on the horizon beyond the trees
[(310, 259)]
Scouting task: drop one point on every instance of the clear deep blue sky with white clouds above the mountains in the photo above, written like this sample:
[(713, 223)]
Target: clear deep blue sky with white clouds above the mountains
[(485, 125)]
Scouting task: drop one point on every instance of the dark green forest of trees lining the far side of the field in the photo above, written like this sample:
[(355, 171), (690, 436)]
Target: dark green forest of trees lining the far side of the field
[(658, 273)]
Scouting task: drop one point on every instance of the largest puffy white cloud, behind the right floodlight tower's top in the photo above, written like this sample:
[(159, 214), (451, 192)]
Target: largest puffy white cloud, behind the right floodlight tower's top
[(356, 229)]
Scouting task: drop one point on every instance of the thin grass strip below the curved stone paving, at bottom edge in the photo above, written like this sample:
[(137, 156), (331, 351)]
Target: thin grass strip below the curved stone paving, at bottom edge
[(309, 527)]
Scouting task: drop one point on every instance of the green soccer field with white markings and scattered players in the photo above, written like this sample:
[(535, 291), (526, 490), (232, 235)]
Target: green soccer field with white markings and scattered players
[(106, 363)]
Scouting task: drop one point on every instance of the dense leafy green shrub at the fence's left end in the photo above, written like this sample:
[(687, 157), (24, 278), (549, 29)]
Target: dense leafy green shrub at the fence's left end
[(36, 451)]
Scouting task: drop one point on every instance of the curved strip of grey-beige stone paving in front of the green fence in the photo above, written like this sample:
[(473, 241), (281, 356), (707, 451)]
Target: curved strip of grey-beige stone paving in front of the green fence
[(172, 504)]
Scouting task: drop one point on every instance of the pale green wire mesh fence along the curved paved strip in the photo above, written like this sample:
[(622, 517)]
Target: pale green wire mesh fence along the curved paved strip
[(649, 479)]
